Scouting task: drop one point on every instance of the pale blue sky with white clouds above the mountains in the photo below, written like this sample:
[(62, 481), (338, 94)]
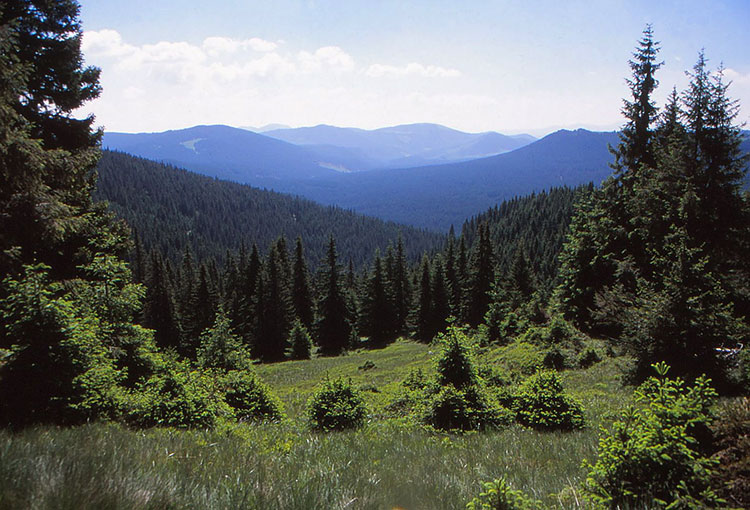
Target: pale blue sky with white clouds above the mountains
[(510, 66)]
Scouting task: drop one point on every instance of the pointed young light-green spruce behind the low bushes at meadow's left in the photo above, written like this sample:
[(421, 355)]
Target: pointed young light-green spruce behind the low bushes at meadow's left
[(221, 348)]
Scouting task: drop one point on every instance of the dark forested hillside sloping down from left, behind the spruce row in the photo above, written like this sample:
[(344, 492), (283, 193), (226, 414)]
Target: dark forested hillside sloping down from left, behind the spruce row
[(171, 209)]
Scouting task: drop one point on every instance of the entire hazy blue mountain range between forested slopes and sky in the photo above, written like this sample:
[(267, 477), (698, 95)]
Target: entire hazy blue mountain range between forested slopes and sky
[(434, 196)]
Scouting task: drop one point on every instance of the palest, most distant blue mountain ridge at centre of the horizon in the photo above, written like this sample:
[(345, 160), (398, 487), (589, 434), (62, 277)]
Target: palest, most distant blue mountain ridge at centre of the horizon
[(399, 146)]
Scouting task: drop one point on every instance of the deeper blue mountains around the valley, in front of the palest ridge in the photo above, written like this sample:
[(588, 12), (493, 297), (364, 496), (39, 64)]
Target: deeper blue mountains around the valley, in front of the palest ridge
[(433, 196)]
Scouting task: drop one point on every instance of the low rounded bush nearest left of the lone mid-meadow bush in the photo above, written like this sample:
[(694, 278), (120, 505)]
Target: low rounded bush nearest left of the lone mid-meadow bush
[(250, 397)]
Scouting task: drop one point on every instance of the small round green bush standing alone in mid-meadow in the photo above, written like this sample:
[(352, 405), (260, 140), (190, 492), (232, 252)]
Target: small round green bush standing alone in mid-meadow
[(336, 405)]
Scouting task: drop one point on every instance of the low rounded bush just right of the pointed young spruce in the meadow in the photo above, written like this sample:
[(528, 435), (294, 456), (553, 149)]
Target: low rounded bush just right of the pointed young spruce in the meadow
[(541, 404)]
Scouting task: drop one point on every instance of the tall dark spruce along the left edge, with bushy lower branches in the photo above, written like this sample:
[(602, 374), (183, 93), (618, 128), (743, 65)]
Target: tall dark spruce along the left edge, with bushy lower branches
[(66, 301)]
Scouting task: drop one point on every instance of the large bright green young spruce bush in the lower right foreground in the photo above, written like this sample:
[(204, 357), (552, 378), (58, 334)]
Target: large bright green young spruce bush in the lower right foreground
[(655, 455)]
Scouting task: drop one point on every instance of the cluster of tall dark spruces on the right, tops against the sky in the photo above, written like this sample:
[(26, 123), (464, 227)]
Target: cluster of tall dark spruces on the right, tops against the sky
[(657, 256)]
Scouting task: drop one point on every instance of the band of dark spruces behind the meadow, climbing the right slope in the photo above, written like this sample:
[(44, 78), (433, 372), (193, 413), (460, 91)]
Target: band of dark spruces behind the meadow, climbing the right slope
[(265, 292)]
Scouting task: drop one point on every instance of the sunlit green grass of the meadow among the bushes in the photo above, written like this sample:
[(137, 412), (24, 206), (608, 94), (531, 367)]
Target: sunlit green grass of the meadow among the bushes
[(390, 463)]
